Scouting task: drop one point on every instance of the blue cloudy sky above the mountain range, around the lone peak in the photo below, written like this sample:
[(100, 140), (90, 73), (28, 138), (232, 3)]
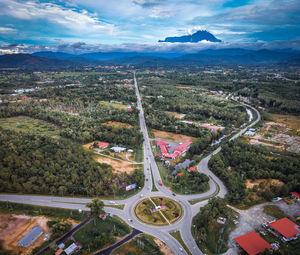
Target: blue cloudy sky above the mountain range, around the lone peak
[(80, 26)]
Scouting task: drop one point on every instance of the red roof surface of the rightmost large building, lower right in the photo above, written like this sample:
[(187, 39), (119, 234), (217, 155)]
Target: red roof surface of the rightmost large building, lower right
[(285, 227)]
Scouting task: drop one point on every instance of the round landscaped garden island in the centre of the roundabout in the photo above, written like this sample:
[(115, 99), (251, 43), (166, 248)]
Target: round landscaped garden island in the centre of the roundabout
[(158, 211)]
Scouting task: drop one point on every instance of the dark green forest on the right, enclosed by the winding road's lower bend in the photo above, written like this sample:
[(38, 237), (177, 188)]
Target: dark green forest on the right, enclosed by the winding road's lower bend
[(255, 162)]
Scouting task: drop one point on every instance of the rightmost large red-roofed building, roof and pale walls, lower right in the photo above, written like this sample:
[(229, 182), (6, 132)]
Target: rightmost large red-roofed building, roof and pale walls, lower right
[(286, 229)]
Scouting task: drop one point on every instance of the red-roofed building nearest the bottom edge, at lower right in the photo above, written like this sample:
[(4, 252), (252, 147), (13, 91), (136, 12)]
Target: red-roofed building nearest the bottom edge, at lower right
[(252, 243)]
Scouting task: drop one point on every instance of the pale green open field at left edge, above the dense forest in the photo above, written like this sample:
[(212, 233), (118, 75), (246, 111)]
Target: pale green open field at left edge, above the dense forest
[(27, 124)]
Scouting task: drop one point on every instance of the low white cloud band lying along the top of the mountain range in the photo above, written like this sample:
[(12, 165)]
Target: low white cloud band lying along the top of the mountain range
[(145, 47)]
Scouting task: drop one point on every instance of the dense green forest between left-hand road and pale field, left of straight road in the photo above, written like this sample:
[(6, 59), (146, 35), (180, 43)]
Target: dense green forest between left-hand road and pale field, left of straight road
[(46, 165)]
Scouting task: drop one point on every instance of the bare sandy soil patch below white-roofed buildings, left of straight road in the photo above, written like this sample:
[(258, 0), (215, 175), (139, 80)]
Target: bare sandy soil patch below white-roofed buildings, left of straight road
[(119, 166)]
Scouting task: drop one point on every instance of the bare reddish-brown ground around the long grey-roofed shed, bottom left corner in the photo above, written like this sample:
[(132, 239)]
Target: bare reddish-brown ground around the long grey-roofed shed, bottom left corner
[(14, 227)]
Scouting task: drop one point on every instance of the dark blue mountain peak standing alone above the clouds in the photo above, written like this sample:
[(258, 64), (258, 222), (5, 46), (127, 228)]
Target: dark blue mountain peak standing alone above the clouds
[(193, 38)]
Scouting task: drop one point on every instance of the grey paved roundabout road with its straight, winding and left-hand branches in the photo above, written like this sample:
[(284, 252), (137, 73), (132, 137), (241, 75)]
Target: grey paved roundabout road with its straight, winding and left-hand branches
[(163, 233)]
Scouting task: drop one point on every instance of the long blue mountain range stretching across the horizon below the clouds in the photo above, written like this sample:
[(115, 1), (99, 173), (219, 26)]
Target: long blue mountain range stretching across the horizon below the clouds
[(232, 56)]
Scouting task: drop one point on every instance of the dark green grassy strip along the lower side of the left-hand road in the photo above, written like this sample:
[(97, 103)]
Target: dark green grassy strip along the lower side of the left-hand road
[(34, 210)]
